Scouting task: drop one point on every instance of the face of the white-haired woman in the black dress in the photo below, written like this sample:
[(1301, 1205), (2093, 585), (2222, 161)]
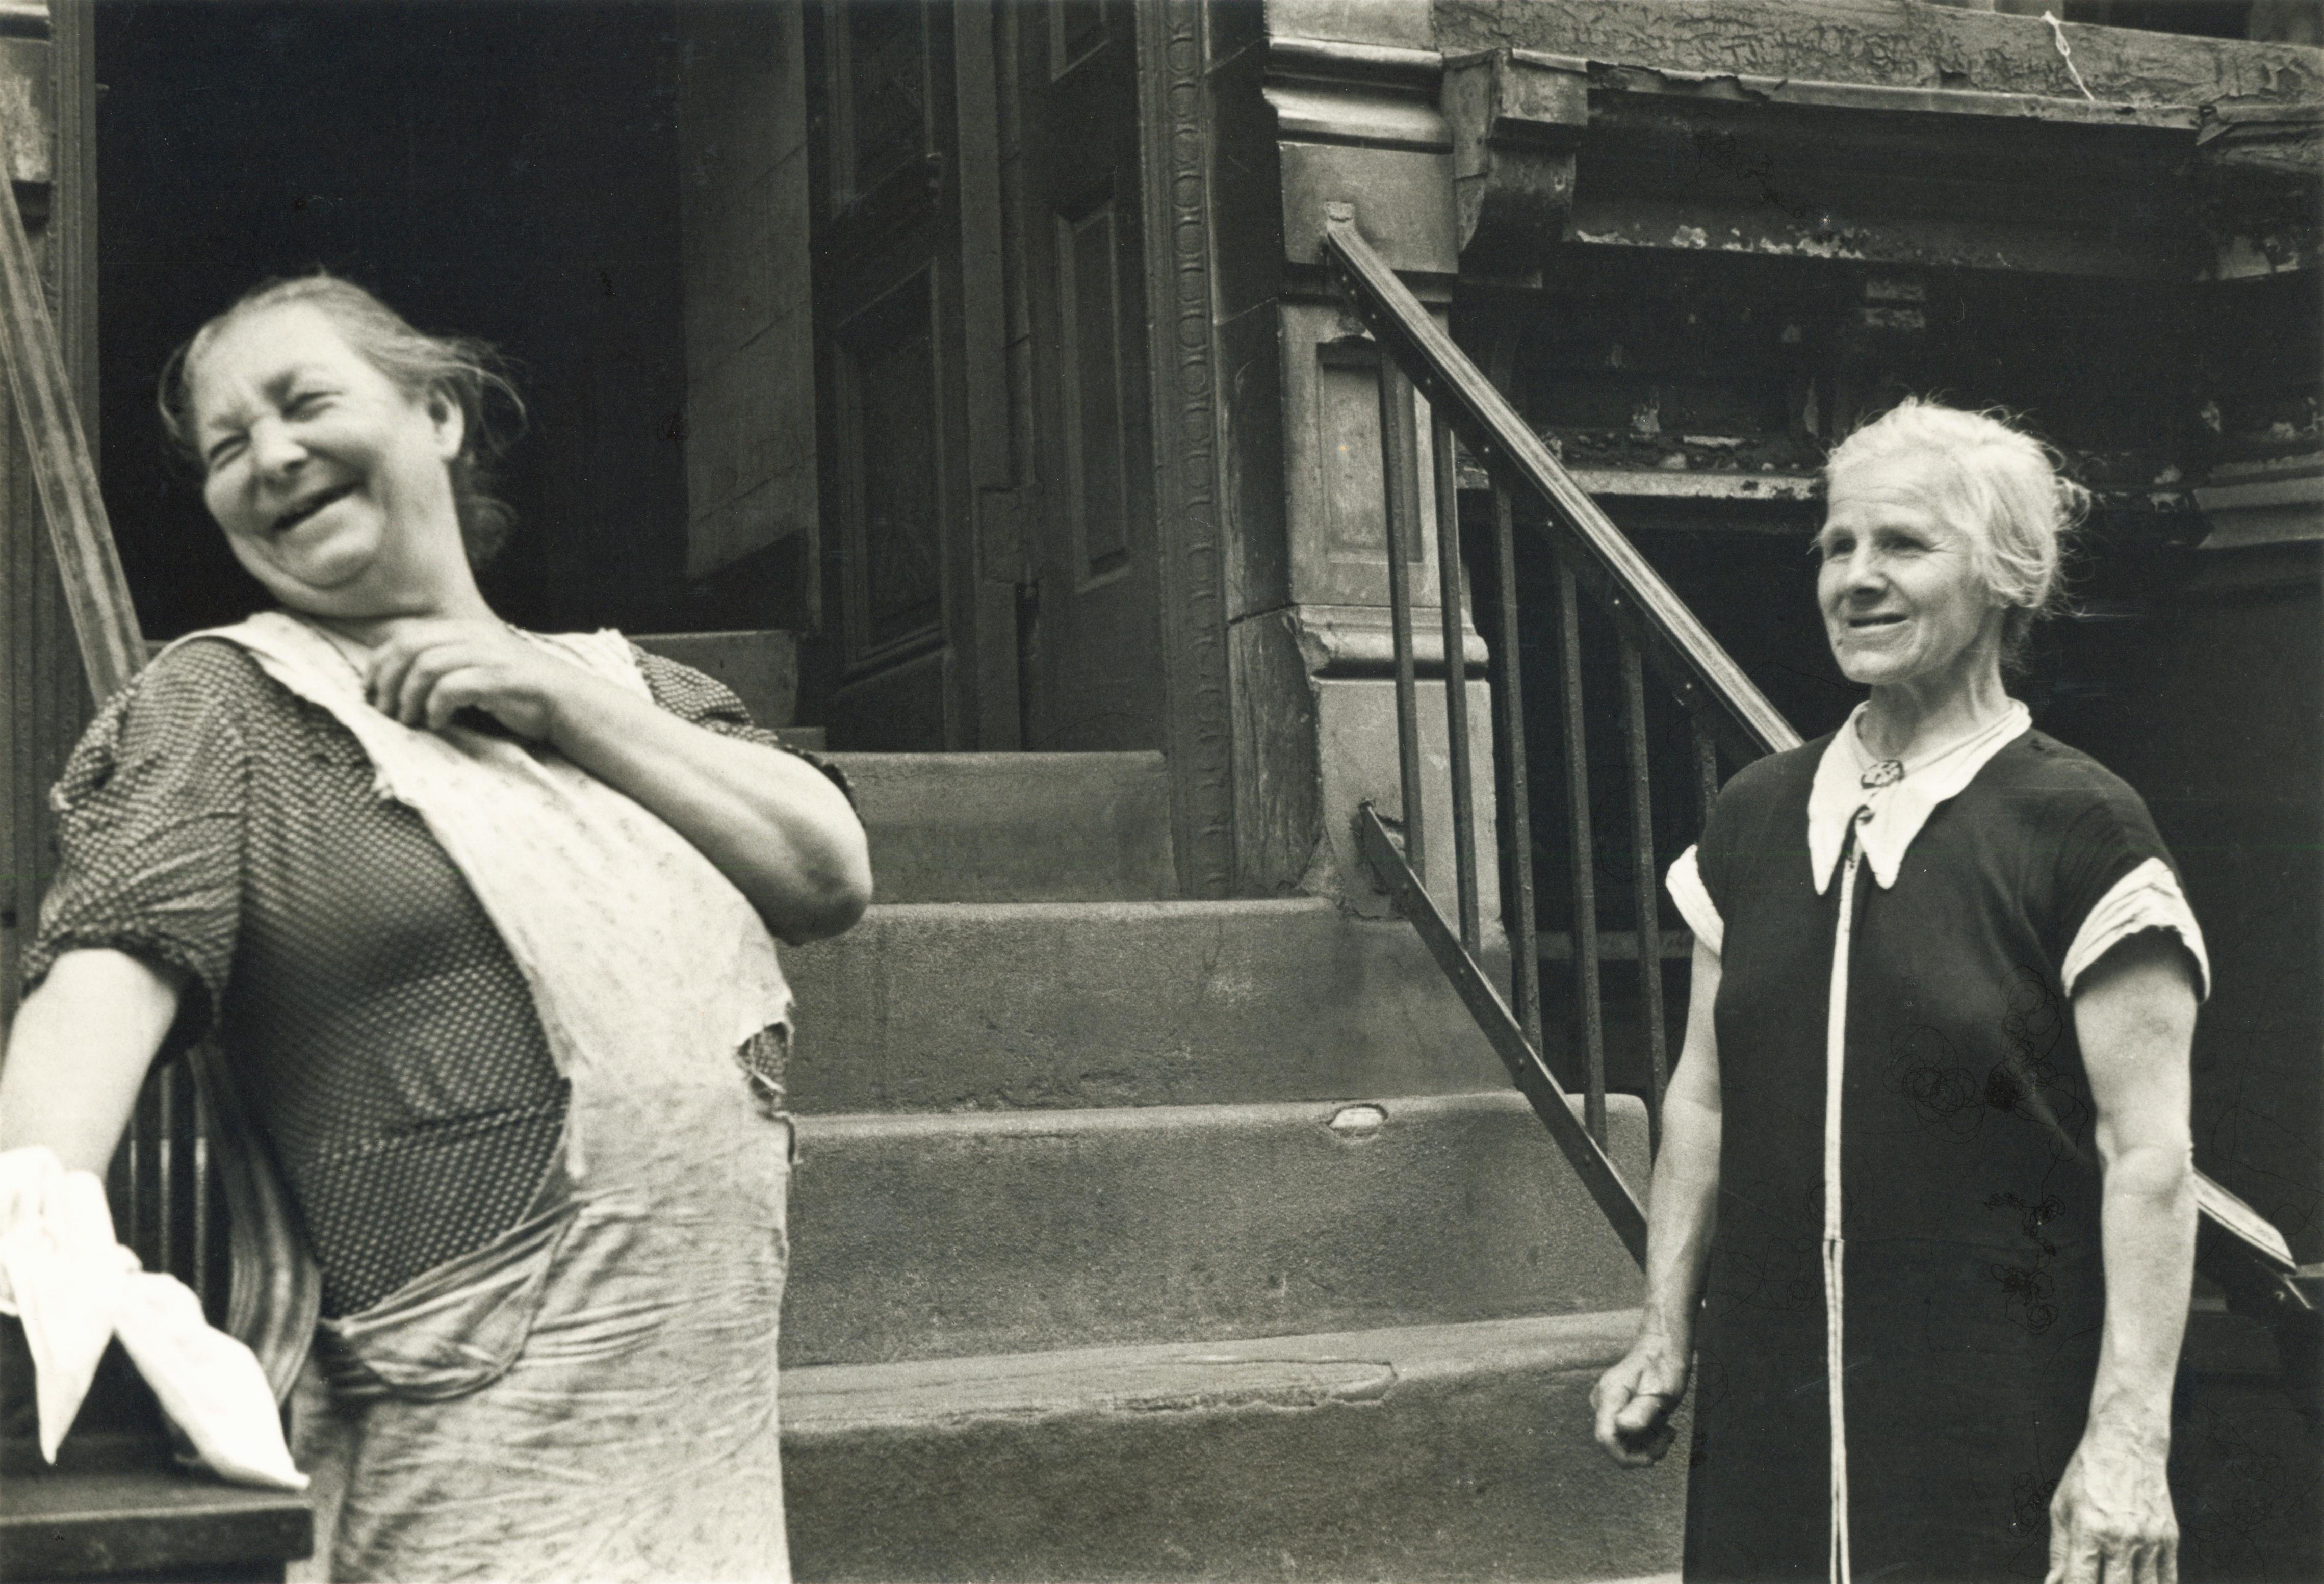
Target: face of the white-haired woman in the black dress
[(1900, 584)]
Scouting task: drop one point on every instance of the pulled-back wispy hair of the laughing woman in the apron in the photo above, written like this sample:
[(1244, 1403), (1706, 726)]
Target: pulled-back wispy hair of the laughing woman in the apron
[(459, 370)]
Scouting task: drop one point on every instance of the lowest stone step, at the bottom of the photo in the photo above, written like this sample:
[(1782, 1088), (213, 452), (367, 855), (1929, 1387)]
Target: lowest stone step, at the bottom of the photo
[(1423, 1453)]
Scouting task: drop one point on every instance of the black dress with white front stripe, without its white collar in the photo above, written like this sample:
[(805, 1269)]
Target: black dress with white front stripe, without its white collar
[(1970, 1181)]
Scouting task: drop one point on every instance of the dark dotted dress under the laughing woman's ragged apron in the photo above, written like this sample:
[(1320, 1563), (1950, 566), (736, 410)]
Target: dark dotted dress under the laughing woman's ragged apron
[(373, 1018)]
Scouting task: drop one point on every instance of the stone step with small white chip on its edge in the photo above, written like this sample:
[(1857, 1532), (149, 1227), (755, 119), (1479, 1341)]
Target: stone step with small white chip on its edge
[(924, 1237)]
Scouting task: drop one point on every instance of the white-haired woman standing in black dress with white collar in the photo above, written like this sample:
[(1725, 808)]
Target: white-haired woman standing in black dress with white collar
[(1923, 1223)]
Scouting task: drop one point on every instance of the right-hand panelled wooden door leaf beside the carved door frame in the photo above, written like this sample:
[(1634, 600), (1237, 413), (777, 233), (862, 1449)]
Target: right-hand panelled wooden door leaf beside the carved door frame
[(1089, 619)]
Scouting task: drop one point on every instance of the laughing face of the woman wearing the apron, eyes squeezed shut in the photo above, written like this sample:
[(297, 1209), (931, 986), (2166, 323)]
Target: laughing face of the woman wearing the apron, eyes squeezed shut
[(329, 480)]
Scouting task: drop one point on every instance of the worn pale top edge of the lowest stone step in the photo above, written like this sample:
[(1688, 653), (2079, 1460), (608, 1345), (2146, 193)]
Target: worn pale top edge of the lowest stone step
[(833, 1402)]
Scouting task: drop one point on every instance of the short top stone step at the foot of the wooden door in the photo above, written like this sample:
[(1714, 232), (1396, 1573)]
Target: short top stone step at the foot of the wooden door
[(1014, 826)]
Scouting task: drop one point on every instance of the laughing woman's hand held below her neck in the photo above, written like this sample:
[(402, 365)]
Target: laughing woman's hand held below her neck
[(431, 670)]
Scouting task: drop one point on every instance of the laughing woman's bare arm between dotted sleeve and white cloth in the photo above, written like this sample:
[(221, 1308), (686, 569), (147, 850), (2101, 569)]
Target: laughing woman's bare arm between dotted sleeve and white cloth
[(80, 1053)]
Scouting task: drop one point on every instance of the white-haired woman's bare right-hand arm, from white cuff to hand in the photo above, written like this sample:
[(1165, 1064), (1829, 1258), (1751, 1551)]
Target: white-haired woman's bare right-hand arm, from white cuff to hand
[(2135, 1016)]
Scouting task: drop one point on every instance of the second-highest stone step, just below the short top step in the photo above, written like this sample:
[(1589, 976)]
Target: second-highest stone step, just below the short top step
[(1000, 1007)]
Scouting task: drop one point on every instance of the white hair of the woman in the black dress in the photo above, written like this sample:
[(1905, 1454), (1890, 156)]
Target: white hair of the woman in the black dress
[(1993, 482)]
